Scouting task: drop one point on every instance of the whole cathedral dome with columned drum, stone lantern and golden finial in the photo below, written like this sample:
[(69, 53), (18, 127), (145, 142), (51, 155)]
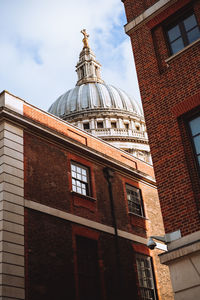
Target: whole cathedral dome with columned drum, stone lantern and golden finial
[(102, 109)]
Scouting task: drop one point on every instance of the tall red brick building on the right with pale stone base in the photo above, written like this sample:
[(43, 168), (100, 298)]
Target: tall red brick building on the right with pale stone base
[(165, 38)]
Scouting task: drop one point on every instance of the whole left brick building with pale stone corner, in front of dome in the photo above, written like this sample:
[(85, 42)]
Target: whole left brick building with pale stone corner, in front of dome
[(75, 213)]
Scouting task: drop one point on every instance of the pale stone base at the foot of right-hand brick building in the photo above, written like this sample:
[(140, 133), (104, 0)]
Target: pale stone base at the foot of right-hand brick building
[(183, 260)]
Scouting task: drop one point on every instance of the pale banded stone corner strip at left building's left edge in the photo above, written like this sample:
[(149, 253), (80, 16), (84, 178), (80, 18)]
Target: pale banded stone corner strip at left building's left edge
[(11, 212)]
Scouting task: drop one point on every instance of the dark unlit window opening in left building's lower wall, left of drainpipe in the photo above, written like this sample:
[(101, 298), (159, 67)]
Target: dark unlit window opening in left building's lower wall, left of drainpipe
[(88, 269)]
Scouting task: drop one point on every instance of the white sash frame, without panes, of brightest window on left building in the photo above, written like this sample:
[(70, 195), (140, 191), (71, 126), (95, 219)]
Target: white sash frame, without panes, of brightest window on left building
[(87, 183)]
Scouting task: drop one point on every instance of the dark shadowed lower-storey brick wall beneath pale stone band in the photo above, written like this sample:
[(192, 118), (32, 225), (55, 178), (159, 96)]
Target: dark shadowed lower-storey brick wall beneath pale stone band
[(51, 255)]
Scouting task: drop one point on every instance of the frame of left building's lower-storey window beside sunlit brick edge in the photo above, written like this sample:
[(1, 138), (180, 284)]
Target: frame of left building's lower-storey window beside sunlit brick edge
[(152, 273)]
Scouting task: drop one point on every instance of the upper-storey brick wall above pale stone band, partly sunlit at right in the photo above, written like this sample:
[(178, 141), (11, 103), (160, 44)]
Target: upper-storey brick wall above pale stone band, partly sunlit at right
[(49, 183)]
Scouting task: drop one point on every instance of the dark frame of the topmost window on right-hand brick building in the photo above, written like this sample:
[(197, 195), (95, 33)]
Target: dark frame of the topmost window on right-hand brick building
[(178, 19)]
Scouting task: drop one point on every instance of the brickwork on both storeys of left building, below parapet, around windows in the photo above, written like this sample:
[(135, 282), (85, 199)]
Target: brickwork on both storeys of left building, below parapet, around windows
[(49, 183)]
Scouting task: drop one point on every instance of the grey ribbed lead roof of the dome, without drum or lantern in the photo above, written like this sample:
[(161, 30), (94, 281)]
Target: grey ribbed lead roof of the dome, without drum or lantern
[(91, 96)]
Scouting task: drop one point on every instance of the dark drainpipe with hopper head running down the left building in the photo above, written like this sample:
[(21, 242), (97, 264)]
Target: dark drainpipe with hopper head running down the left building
[(109, 175)]
